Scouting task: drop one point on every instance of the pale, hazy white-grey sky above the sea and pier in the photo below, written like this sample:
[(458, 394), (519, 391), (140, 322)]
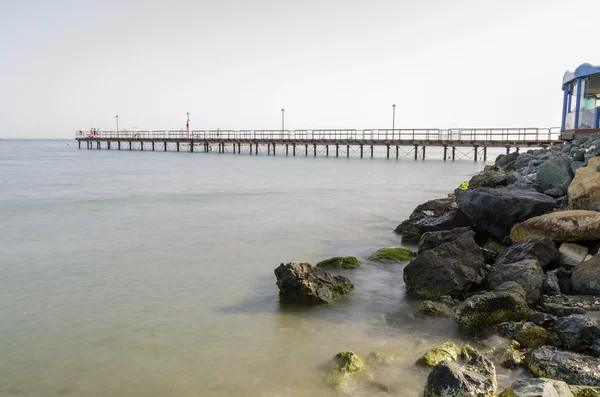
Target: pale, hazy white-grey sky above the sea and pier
[(233, 64)]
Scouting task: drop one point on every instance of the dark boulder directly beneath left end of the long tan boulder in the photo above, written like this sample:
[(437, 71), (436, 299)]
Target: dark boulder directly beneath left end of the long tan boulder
[(542, 248)]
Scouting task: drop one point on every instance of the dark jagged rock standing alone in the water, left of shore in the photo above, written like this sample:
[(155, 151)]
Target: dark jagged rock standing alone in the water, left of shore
[(302, 283)]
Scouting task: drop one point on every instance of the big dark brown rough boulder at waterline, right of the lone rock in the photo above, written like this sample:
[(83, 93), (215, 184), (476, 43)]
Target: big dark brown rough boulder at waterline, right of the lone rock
[(448, 269)]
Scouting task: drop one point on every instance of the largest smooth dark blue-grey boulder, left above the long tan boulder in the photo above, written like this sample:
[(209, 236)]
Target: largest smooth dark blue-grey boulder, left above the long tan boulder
[(494, 211)]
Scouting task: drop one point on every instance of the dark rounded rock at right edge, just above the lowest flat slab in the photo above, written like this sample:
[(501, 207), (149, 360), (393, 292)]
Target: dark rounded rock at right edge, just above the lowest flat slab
[(577, 332)]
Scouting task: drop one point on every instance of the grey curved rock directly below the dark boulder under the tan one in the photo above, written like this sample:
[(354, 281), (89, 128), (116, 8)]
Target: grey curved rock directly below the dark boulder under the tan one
[(528, 273)]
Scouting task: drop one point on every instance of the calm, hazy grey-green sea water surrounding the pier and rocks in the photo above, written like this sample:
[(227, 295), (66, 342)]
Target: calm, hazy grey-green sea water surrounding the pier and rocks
[(140, 273)]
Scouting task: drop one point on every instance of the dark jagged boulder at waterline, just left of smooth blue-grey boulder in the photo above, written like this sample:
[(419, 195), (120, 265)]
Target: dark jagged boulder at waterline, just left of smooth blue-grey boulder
[(434, 215)]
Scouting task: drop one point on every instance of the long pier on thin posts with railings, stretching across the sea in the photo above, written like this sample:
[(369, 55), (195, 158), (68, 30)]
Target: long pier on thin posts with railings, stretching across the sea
[(455, 143)]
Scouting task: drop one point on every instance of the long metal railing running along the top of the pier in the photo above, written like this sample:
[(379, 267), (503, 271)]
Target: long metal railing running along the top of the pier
[(426, 134)]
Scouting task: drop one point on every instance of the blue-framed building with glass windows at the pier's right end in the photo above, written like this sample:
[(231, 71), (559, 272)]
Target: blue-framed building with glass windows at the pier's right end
[(581, 101)]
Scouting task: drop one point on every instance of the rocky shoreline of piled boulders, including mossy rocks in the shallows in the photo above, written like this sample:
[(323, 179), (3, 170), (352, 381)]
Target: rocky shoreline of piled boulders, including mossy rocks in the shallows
[(514, 254)]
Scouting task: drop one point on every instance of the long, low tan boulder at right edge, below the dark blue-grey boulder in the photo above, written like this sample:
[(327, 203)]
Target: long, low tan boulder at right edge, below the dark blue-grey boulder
[(560, 226)]
